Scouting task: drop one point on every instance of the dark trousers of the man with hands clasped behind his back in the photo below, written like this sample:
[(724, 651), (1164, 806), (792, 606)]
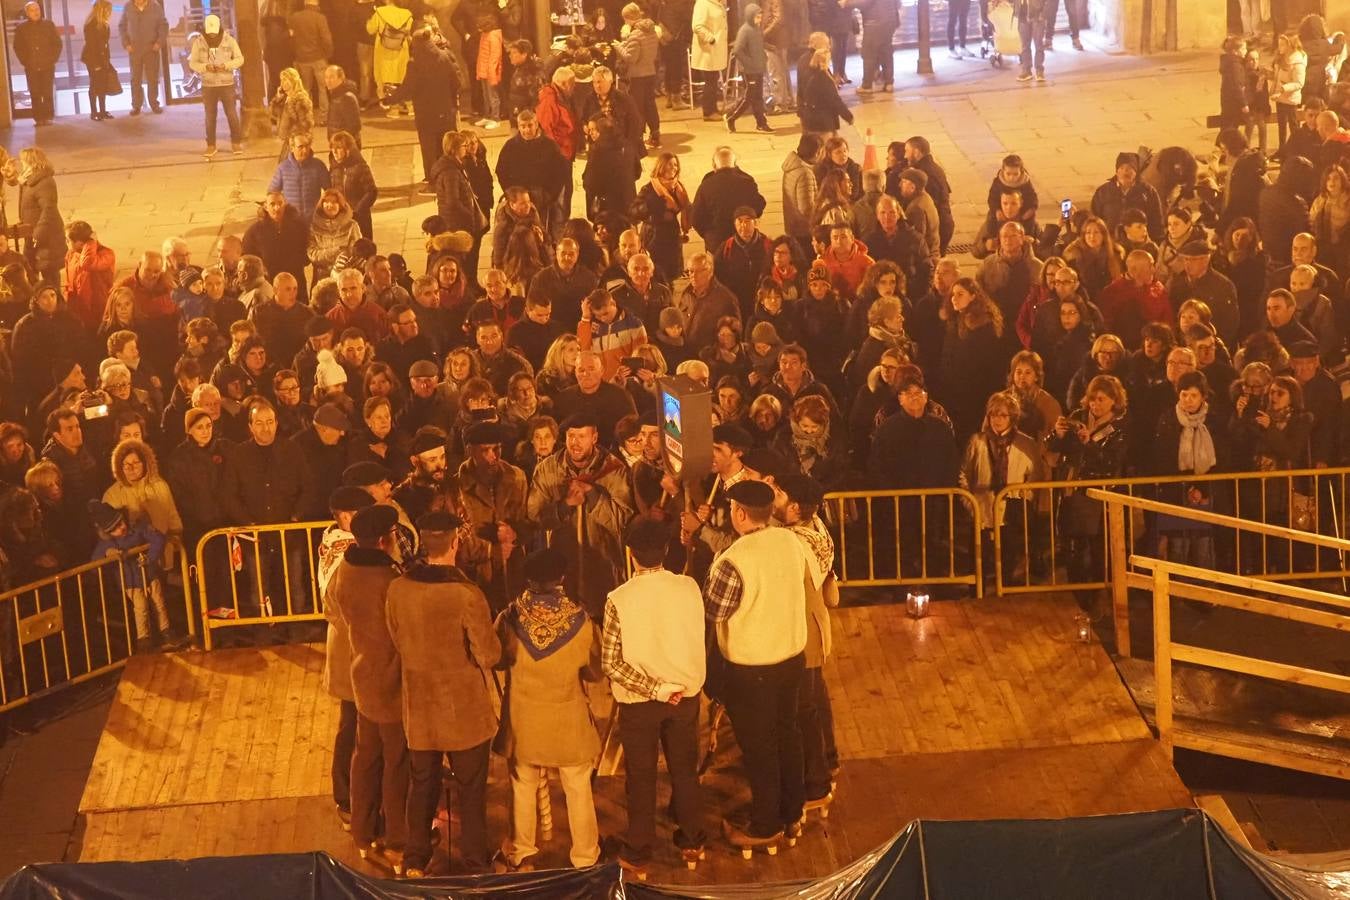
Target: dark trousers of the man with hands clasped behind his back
[(642, 728)]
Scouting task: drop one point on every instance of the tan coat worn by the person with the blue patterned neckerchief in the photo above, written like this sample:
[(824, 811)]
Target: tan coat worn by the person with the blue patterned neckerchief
[(550, 723)]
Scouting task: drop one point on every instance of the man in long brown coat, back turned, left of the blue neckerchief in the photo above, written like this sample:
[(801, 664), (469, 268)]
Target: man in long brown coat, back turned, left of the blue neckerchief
[(442, 628)]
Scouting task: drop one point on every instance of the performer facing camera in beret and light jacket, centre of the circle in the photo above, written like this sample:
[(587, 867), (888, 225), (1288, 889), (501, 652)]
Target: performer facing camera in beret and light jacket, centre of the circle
[(581, 495)]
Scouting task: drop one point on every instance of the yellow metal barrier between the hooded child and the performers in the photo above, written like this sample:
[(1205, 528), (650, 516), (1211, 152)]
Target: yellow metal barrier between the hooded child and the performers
[(257, 575)]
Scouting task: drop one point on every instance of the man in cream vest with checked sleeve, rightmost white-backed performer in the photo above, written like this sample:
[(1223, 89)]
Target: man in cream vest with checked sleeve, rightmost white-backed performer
[(755, 600)]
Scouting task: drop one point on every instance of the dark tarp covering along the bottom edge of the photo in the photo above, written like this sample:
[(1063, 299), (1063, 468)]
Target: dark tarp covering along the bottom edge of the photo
[(1178, 855)]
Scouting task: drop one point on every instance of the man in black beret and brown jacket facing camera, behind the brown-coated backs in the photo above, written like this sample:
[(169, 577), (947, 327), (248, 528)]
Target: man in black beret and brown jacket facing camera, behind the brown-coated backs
[(489, 495)]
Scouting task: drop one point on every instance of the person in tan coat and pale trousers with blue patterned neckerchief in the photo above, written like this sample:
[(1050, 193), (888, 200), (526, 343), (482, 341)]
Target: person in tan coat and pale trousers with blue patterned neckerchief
[(550, 651)]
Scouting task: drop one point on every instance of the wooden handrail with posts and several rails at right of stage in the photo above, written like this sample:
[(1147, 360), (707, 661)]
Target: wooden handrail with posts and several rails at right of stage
[(1168, 580)]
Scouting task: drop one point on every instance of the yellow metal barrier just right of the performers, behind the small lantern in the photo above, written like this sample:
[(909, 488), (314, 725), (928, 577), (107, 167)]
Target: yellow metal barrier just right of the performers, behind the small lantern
[(921, 536)]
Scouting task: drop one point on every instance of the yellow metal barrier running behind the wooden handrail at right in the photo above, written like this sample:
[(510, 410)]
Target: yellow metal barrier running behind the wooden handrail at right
[(1069, 532)]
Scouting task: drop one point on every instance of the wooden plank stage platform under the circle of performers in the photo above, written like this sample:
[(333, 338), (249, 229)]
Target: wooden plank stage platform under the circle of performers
[(983, 710)]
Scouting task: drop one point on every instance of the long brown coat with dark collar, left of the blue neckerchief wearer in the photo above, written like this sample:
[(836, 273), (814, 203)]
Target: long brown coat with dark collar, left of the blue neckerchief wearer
[(441, 624)]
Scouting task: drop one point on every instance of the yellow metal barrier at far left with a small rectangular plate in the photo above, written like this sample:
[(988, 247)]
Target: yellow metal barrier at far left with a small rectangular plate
[(65, 629)]
